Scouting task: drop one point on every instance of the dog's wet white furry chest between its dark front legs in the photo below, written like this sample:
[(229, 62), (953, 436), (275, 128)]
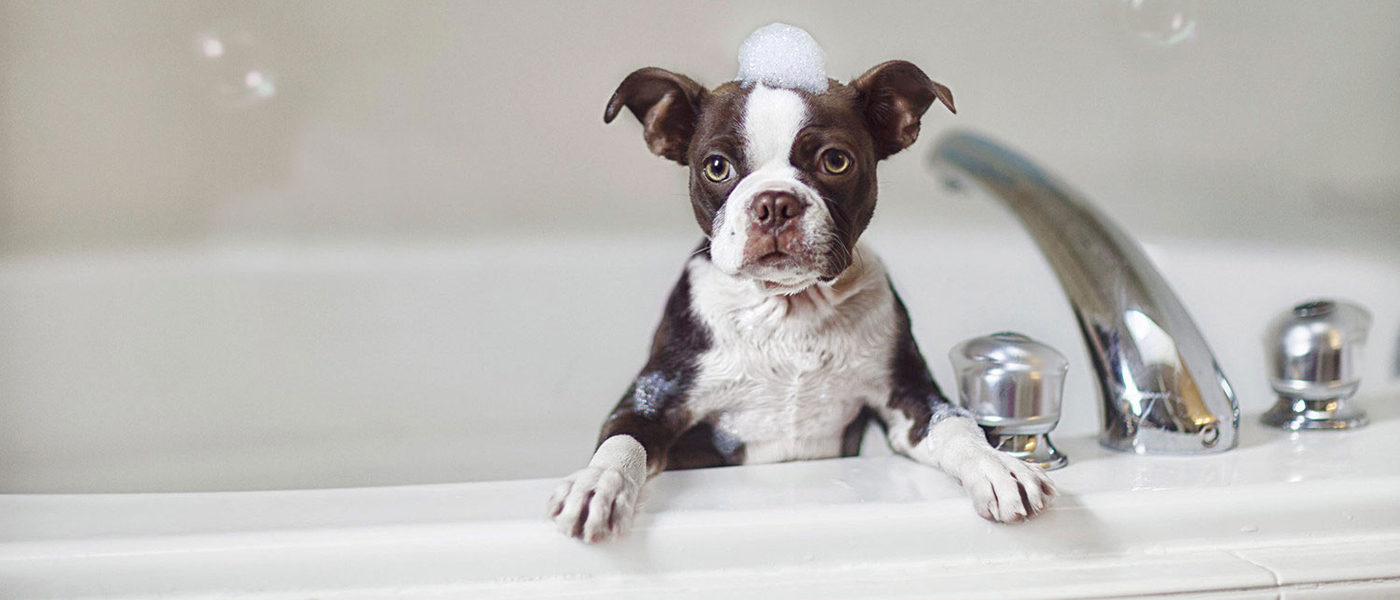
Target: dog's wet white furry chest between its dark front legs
[(786, 376)]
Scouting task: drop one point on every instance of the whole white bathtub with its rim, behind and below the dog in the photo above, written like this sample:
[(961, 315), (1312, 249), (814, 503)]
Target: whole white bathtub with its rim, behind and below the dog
[(362, 422)]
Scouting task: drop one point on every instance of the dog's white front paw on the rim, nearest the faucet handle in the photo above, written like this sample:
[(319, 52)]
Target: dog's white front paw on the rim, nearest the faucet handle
[(1004, 489)]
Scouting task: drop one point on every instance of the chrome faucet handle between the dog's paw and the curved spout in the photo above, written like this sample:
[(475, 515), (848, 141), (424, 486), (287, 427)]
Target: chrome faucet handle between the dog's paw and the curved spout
[(1013, 387)]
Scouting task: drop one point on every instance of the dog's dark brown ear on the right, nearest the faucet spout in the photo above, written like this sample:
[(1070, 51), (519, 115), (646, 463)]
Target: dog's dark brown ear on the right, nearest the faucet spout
[(894, 97)]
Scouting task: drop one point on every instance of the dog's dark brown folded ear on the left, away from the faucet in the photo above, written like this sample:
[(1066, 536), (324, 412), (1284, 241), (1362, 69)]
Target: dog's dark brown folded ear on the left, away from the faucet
[(667, 106)]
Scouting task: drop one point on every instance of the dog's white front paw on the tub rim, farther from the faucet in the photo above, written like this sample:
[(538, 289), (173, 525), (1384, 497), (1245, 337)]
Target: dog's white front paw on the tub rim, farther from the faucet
[(594, 504)]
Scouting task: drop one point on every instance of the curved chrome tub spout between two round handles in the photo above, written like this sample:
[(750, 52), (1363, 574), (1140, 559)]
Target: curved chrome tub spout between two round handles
[(1160, 385)]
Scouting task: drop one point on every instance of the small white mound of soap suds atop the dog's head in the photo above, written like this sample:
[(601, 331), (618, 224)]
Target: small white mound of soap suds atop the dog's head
[(783, 57)]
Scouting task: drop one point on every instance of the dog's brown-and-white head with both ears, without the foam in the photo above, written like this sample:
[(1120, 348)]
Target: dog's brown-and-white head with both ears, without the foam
[(782, 178)]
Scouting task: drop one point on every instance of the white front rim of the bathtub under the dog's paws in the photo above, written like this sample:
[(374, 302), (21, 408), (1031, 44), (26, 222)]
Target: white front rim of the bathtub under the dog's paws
[(761, 525)]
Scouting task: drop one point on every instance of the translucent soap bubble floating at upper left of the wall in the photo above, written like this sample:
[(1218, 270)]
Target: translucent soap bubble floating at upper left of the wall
[(236, 68)]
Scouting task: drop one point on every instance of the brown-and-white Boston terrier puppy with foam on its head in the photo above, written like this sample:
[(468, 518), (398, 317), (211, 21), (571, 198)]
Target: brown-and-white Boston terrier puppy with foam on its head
[(783, 336)]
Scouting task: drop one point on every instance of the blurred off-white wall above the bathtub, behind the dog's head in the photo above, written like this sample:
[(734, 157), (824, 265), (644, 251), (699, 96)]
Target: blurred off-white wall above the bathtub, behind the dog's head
[(456, 121)]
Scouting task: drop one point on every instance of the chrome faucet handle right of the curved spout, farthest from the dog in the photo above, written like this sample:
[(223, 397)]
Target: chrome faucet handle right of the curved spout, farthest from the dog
[(1314, 356)]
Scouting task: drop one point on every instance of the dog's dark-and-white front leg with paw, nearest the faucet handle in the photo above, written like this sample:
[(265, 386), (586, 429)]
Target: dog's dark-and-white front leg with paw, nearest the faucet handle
[(926, 427)]
